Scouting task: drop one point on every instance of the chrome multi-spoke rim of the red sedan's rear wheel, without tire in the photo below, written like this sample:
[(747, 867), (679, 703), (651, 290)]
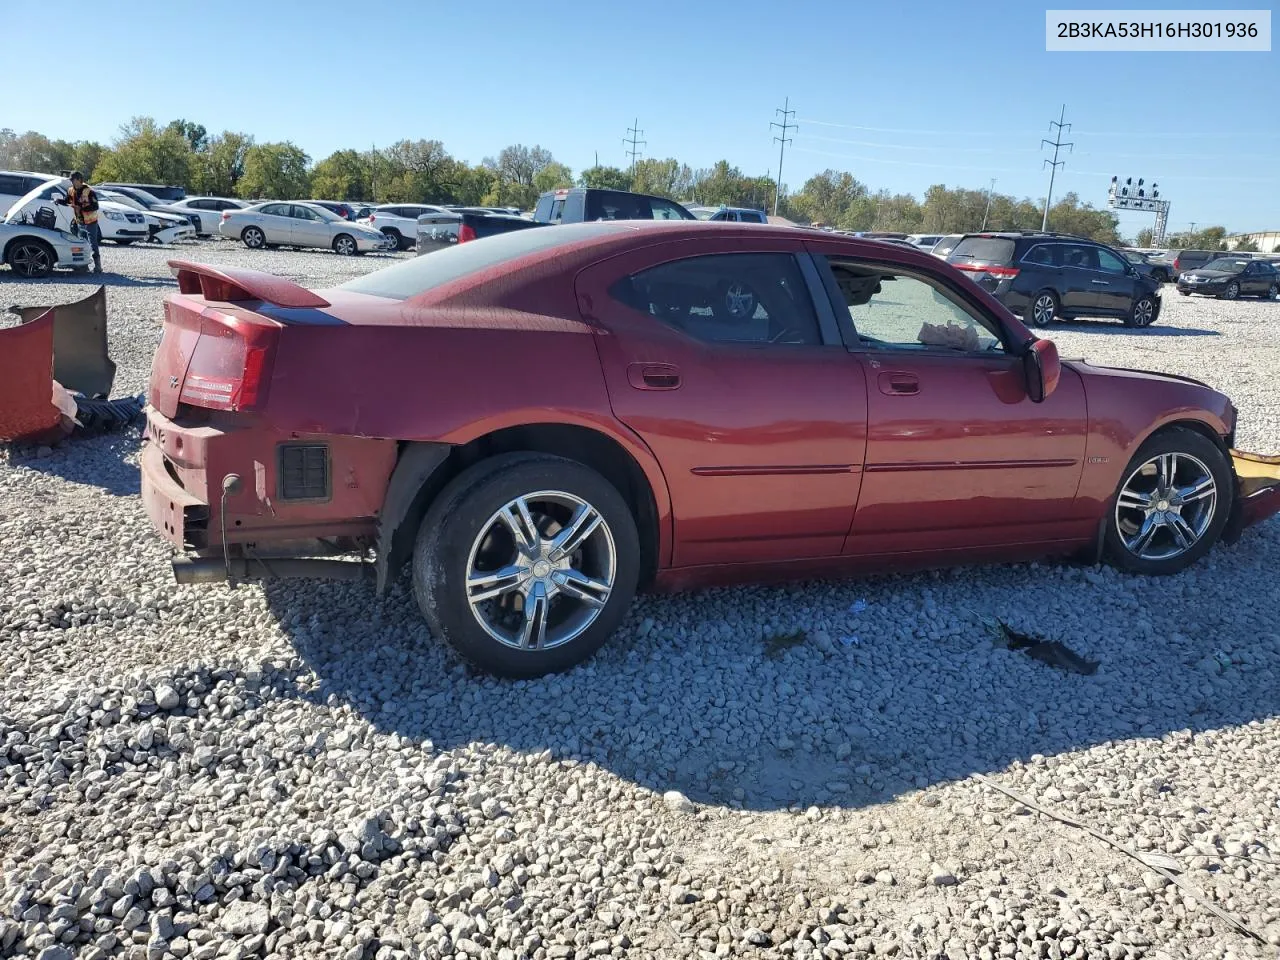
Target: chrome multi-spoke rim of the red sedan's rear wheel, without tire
[(541, 570)]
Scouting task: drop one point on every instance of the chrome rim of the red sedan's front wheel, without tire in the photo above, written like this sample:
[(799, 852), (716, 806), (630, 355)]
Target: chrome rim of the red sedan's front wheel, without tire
[(1165, 506)]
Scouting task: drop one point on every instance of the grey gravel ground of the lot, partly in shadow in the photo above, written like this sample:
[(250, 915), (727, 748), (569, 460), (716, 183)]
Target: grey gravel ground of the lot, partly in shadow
[(812, 771)]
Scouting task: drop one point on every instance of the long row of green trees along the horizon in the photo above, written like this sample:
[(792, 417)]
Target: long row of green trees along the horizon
[(235, 164)]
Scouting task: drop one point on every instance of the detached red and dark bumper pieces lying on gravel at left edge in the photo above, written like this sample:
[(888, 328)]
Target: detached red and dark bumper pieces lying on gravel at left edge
[(56, 374)]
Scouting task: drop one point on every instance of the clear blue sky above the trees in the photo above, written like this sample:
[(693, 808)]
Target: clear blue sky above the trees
[(903, 95)]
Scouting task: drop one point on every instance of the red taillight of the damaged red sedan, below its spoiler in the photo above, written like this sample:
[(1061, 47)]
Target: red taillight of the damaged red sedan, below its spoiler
[(231, 365)]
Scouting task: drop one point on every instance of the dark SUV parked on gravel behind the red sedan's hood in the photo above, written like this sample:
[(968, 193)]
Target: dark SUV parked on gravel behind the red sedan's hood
[(1048, 277)]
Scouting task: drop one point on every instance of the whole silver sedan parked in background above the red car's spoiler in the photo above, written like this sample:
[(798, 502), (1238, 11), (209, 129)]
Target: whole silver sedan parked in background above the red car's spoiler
[(291, 225)]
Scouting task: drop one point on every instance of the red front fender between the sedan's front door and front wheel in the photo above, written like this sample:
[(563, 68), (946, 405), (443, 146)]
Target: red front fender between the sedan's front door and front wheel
[(1127, 408)]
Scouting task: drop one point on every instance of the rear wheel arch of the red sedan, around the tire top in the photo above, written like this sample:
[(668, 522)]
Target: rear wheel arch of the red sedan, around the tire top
[(423, 469)]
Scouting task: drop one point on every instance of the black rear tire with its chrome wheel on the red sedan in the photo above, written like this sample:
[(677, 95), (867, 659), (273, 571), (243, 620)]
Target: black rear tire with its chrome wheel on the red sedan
[(527, 564)]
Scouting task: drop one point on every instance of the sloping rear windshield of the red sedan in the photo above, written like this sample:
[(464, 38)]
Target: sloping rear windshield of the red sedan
[(431, 271)]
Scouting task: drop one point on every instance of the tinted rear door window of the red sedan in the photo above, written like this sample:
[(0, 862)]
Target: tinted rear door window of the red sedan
[(728, 299)]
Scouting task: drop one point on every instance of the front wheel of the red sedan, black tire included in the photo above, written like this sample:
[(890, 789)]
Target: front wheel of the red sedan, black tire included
[(1172, 505)]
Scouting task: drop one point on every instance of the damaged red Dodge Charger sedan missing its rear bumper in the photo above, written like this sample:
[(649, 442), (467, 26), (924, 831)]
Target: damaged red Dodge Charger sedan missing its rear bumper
[(543, 423)]
